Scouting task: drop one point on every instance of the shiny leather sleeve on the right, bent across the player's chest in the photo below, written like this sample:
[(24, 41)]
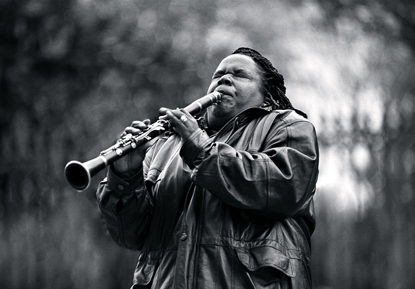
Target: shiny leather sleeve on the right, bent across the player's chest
[(275, 182)]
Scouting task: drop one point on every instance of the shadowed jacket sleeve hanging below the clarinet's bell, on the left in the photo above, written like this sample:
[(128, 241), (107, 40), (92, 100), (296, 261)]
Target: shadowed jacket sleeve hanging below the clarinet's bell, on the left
[(126, 207)]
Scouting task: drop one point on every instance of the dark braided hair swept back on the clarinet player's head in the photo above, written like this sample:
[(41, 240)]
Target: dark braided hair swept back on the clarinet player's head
[(273, 81)]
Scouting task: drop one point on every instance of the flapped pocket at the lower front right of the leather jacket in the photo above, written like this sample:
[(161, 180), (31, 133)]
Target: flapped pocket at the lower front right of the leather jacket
[(266, 265)]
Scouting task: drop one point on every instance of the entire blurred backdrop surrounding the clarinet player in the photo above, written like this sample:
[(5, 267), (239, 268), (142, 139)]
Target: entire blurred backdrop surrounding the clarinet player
[(74, 73)]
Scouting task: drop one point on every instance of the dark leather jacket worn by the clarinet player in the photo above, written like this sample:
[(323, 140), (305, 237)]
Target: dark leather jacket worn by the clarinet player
[(229, 210)]
